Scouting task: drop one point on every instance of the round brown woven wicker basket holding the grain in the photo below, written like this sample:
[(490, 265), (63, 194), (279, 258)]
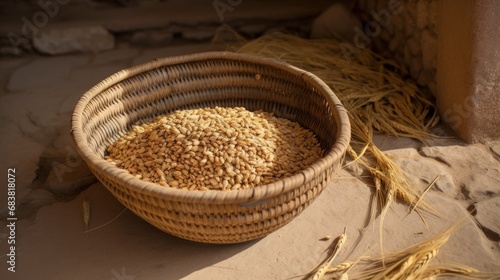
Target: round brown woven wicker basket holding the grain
[(138, 94)]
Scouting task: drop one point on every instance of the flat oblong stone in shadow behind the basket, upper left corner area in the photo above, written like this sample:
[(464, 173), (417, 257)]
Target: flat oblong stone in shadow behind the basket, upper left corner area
[(73, 39)]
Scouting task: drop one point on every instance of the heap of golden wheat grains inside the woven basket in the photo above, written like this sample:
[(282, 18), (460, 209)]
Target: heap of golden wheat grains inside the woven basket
[(215, 149)]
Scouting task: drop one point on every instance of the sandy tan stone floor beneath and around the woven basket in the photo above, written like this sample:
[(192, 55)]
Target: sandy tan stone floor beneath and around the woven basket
[(37, 96)]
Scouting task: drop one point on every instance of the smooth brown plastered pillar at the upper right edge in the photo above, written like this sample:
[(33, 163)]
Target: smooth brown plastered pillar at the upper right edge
[(469, 68)]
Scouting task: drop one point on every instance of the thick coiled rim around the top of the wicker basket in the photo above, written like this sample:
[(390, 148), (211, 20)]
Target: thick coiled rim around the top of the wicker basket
[(250, 196)]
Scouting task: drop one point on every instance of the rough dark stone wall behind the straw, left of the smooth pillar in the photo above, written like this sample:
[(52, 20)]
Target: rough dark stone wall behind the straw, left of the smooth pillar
[(407, 34)]
